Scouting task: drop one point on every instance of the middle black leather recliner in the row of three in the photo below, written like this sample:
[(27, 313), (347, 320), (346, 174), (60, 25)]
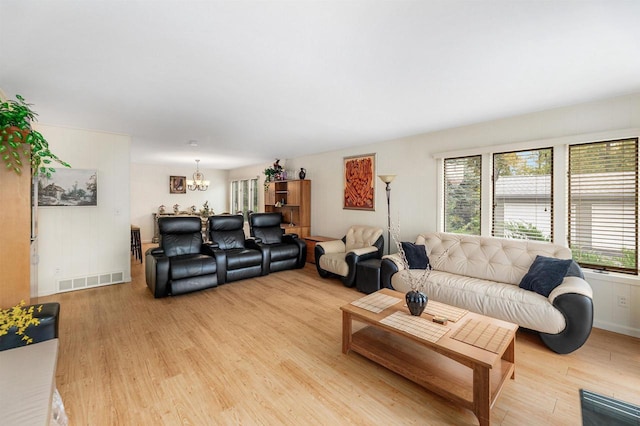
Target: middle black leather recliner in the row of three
[(235, 259)]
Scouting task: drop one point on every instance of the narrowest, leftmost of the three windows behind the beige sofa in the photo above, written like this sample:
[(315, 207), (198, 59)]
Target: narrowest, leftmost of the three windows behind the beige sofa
[(462, 185)]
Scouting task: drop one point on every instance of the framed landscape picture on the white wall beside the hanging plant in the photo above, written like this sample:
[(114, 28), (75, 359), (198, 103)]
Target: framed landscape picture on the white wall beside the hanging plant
[(68, 187)]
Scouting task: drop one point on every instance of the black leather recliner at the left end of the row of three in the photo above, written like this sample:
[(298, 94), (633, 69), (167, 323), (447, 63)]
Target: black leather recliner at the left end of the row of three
[(182, 263)]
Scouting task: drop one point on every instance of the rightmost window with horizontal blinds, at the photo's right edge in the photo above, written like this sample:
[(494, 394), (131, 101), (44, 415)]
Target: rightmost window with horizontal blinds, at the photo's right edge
[(603, 205)]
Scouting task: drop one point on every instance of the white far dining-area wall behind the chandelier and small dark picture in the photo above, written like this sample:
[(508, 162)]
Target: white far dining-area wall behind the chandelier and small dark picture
[(150, 190)]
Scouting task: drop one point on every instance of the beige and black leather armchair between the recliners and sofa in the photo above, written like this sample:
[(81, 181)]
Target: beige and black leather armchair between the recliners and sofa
[(340, 257)]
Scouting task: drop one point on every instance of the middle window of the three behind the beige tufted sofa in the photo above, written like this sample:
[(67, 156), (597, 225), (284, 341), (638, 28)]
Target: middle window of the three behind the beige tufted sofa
[(523, 195)]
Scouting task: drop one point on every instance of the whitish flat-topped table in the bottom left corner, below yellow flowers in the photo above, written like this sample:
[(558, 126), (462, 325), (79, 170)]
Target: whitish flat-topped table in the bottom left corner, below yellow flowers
[(27, 383)]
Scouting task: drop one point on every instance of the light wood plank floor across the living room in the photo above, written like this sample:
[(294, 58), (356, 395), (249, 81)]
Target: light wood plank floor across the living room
[(268, 351)]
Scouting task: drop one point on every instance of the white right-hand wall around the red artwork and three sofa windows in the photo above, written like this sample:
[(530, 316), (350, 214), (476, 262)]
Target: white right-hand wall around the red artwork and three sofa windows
[(414, 191)]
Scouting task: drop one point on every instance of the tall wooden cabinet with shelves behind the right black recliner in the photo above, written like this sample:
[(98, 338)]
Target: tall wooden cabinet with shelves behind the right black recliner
[(292, 198)]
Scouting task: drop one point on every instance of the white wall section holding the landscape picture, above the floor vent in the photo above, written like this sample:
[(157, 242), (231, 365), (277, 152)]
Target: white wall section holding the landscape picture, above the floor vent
[(78, 242)]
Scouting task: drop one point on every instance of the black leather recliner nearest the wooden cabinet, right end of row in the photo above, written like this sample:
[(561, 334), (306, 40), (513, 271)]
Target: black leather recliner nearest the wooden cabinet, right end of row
[(281, 251)]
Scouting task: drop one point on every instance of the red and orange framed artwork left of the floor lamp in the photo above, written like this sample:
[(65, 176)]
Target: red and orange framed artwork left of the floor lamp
[(359, 182)]
